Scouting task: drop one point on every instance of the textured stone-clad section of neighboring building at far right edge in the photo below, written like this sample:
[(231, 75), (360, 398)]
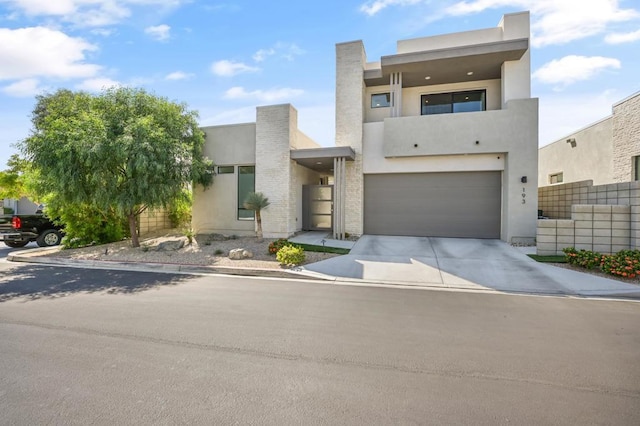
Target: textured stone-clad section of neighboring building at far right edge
[(626, 137)]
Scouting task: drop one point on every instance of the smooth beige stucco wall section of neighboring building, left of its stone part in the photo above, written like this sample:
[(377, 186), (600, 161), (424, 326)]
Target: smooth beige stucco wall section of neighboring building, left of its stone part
[(591, 158)]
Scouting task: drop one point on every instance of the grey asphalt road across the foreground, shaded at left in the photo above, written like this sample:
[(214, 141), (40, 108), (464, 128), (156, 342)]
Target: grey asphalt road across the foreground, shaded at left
[(102, 347)]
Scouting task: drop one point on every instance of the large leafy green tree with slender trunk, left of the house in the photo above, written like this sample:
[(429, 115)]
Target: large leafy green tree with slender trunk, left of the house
[(122, 150)]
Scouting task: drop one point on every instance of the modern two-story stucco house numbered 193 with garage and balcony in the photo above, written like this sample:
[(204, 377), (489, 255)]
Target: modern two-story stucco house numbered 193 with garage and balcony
[(439, 138)]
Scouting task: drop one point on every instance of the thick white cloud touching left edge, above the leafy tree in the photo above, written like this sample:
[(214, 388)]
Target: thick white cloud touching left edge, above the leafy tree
[(43, 52)]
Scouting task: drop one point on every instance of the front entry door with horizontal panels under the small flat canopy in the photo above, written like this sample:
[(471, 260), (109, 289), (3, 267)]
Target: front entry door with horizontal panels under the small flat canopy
[(317, 207)]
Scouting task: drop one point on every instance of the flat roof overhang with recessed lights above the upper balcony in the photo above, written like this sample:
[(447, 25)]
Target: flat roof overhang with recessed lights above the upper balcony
[(448, 65)]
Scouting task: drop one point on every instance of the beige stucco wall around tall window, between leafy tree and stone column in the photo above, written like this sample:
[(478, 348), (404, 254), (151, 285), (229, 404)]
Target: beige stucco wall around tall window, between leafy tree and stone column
[(215, 209)]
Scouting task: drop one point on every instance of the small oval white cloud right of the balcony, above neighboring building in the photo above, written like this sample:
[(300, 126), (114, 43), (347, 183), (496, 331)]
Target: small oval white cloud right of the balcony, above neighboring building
[(573, 68)]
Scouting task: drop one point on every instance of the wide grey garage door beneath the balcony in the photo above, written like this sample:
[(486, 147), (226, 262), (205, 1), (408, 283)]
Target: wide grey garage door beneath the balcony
[(452, 204)]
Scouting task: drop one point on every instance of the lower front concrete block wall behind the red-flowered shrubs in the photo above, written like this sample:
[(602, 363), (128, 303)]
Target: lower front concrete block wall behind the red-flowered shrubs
[(602, 228)]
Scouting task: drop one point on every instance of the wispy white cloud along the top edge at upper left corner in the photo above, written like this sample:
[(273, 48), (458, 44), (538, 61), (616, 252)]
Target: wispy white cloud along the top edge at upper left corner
[(87, 13)]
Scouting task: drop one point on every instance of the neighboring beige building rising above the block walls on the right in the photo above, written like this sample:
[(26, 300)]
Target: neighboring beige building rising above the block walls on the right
[(607, 151)]
